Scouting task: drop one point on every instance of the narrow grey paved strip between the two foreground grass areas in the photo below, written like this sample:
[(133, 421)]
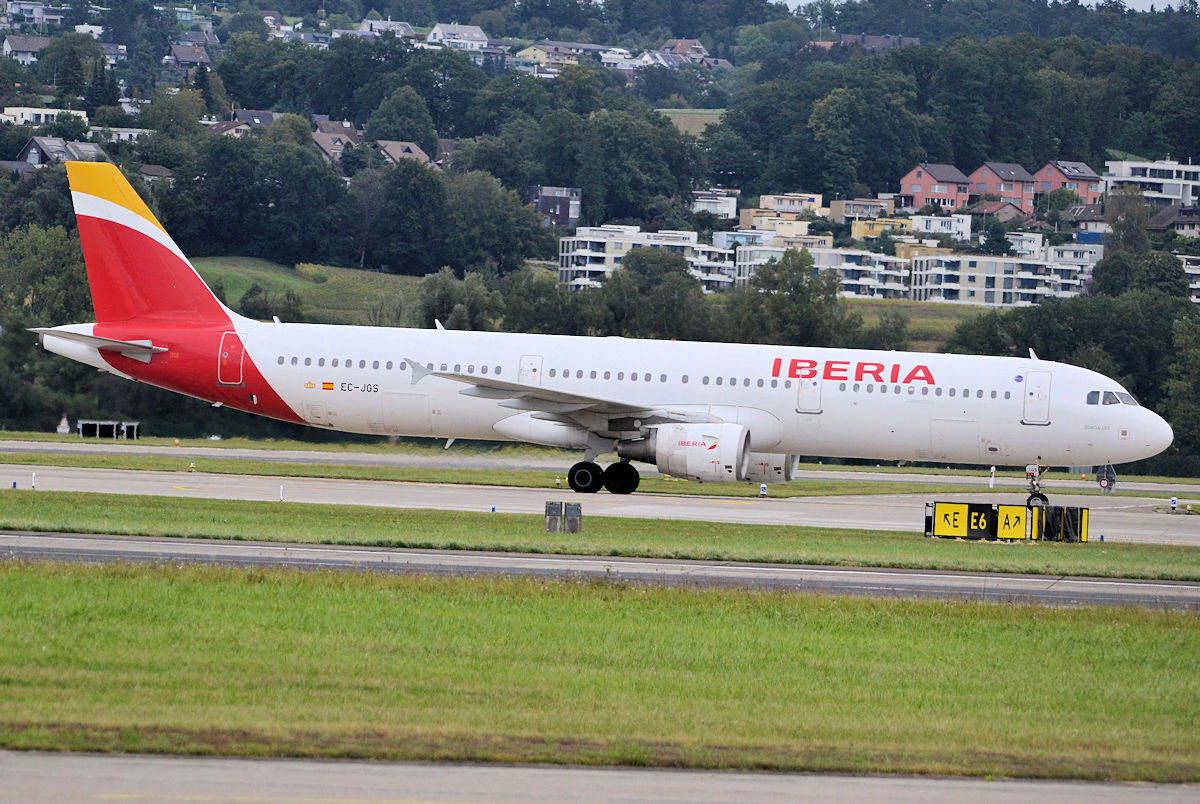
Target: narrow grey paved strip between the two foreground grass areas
[(1053, 591)]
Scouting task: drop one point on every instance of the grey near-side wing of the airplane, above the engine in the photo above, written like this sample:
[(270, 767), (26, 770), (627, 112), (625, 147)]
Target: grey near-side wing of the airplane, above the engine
[(554, 403)]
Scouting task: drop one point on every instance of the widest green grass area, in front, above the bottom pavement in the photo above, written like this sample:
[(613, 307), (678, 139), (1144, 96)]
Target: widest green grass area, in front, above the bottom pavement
[(201, 661)]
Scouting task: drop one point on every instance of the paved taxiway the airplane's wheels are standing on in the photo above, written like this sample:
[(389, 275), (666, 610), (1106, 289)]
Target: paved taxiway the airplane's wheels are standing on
[(1118, 519)]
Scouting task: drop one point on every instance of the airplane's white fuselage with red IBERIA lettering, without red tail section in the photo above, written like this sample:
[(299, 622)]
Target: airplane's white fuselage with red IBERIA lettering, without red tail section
[(809, 401)]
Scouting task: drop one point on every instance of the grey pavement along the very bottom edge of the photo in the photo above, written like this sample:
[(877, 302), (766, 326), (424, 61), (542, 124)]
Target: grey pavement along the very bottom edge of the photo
[(38, 778)]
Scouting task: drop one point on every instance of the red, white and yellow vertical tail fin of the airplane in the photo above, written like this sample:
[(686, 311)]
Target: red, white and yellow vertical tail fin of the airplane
[(135, 269)]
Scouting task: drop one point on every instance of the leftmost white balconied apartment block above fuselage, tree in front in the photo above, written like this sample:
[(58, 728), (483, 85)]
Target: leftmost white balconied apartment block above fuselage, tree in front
[(595, 253)]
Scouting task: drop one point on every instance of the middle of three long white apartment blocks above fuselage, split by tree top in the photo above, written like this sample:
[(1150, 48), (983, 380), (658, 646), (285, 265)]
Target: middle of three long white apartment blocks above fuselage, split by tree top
[(863, 274)]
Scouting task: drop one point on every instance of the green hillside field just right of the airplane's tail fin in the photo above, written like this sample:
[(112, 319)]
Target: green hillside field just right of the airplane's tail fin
[(333, 296)]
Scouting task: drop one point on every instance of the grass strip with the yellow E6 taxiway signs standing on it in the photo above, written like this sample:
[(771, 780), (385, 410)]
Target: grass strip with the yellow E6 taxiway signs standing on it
[(347, 525)]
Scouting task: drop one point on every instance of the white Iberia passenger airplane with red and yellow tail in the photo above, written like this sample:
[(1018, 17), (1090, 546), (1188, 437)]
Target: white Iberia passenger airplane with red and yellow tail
[(706, 412)]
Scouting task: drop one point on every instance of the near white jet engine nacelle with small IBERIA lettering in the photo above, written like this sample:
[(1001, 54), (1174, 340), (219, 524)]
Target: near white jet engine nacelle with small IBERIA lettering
[(709, 453)]
